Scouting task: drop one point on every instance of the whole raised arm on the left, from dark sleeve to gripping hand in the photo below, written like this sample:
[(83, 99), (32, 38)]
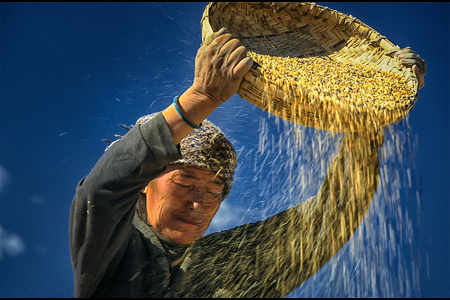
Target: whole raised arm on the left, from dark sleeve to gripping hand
[(104, 205)]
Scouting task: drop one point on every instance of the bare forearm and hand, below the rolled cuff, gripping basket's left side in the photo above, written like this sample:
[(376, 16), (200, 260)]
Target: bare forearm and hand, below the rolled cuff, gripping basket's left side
[(220, 66)]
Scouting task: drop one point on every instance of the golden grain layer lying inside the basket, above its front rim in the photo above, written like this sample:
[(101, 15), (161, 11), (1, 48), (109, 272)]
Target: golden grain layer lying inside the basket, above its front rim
[(343, 84)]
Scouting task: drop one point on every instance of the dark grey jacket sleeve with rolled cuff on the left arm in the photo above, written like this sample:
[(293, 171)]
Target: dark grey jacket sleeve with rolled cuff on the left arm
[(104, 204)]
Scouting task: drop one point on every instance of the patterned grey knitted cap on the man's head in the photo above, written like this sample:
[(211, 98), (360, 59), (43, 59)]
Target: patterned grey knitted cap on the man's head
[(207, 147)]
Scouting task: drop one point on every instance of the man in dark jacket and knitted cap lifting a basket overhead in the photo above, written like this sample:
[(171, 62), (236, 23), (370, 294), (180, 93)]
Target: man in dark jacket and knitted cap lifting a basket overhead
[(137, 219)]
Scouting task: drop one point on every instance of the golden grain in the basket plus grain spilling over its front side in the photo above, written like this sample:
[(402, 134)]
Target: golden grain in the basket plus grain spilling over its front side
[(320, 90)]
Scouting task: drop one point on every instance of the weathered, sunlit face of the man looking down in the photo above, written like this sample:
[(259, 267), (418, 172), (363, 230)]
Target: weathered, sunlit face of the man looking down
[(182, 202)]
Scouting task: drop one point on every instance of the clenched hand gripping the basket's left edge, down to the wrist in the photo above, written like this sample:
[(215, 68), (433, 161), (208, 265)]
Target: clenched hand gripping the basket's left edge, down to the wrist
[(220, 66)]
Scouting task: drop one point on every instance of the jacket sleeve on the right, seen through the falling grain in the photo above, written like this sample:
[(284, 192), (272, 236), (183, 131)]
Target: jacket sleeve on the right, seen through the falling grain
[(271, 258)]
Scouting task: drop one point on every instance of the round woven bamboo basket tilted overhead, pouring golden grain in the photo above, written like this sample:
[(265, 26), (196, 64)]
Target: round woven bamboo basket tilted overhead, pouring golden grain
[(307, 31)]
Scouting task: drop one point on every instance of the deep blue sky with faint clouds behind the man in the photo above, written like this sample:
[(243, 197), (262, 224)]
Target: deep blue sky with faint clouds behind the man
[(71, 72)]
